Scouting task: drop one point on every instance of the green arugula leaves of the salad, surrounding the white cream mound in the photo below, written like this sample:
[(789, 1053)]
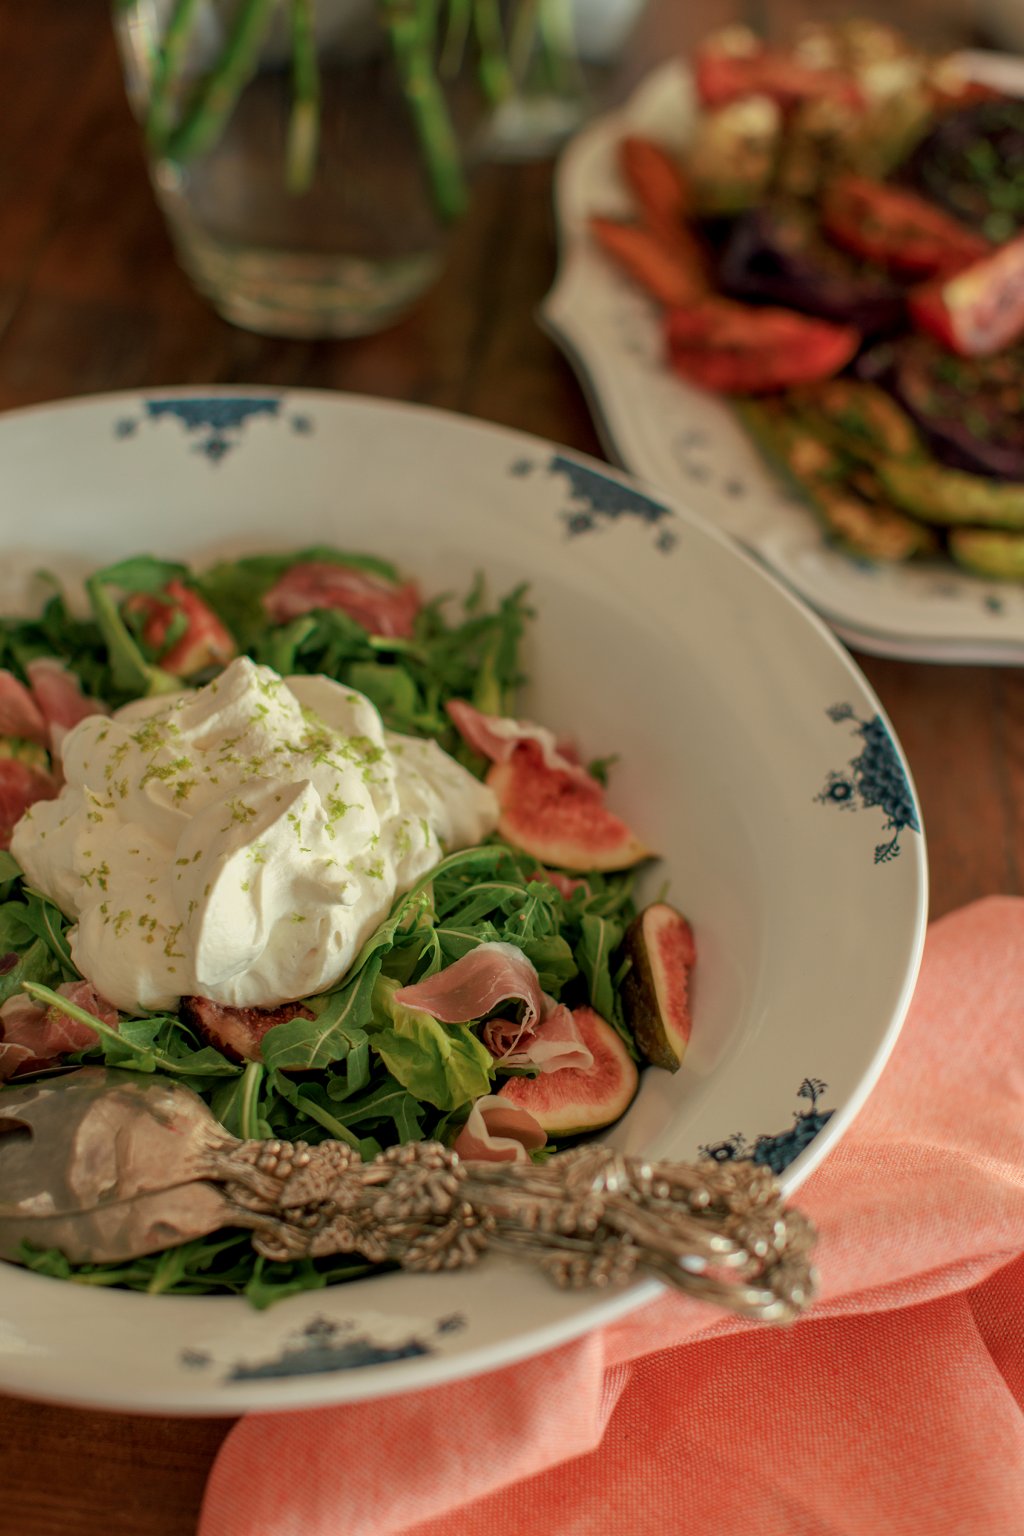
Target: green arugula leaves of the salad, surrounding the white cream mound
[(365, 1070)]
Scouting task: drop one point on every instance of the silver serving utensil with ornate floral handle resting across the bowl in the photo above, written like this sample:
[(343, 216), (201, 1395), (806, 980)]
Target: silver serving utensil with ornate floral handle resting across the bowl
[(110, 1167)]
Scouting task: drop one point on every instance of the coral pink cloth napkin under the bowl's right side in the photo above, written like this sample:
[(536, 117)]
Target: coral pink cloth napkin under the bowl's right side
[(894, 1409)]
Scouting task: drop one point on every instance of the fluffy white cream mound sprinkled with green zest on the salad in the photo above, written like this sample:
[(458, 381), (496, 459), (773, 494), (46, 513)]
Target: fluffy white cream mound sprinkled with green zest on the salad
[(240, 842)]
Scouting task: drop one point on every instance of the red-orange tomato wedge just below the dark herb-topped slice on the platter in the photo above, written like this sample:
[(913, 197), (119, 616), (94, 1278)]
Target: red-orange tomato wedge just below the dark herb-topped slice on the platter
[(897, 228)]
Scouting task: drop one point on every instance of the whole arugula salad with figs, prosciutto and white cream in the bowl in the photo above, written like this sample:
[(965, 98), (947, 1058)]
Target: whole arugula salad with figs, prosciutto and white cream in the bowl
[(302, 870)]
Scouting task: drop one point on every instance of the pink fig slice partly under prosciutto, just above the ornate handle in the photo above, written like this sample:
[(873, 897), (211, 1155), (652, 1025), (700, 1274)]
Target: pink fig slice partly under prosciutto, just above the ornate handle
[(575, 1101)]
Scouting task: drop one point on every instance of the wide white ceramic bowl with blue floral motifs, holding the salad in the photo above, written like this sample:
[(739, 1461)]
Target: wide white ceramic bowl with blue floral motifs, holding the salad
[(753, 755)]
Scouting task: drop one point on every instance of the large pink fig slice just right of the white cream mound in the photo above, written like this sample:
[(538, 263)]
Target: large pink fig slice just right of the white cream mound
[(560, 819)]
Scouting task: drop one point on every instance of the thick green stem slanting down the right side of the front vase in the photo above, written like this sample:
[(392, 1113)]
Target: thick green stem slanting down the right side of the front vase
[(414, 56)]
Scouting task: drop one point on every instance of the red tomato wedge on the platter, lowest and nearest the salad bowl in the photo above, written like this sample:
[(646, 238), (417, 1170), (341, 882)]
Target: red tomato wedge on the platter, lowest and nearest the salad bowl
[(736, 349)]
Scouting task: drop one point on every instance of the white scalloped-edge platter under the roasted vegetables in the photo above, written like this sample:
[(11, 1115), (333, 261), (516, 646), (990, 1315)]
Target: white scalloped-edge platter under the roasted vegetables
[(690, 445)]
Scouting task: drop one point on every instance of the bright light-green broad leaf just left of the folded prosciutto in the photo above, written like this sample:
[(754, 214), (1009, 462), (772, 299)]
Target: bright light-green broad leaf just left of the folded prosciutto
[(444, 1065)]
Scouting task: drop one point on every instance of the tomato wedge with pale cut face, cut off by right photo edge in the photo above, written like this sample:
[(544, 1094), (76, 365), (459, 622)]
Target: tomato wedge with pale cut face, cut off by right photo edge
[(979, 311)]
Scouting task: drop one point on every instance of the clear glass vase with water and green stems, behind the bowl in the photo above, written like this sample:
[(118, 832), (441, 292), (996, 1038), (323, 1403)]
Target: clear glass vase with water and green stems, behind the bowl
[(305, 153)]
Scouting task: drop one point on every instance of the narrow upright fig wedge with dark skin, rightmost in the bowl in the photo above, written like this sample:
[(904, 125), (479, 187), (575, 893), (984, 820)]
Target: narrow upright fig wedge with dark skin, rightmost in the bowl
[(656, 988)]
